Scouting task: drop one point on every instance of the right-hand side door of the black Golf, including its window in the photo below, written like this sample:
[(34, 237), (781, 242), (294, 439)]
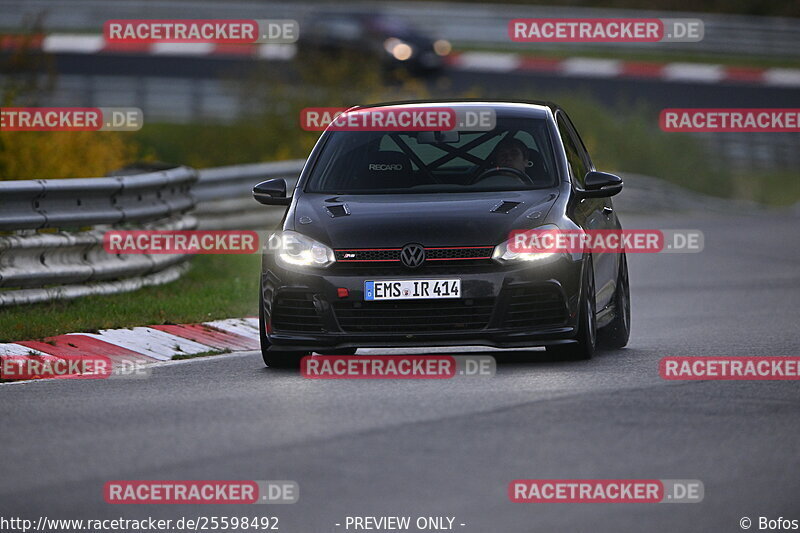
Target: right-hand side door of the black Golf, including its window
[(590, 213)]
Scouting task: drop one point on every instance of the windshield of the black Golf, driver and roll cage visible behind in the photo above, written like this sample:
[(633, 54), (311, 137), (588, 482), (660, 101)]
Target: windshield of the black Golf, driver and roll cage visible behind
[(516, 155)]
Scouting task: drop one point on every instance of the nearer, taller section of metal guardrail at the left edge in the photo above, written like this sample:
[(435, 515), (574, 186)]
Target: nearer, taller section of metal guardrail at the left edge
[(53, 248)]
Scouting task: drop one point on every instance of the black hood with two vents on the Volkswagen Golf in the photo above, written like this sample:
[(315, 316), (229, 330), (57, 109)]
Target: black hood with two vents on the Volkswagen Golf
[(393, 220)]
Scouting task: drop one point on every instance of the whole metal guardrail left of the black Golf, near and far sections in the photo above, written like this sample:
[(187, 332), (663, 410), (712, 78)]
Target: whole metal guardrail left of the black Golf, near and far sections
[(52, 248)]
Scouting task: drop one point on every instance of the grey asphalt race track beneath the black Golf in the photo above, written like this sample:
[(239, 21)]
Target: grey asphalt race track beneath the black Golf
[(450, 448)]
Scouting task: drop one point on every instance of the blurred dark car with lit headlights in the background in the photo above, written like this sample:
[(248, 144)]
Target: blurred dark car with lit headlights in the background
[(391, 41)]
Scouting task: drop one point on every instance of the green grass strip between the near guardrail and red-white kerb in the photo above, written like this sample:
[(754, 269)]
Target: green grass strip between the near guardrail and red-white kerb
[(216, 287)]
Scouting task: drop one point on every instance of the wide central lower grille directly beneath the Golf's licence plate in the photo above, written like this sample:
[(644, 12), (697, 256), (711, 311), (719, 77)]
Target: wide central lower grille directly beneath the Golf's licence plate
[(417, 316)]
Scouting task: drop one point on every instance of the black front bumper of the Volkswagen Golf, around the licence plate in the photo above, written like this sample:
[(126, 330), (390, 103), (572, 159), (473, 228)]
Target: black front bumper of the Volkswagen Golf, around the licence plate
[(500, 306)]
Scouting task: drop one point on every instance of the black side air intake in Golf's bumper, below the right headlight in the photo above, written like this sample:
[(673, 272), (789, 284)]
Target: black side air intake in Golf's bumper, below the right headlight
[(535, 306)]
